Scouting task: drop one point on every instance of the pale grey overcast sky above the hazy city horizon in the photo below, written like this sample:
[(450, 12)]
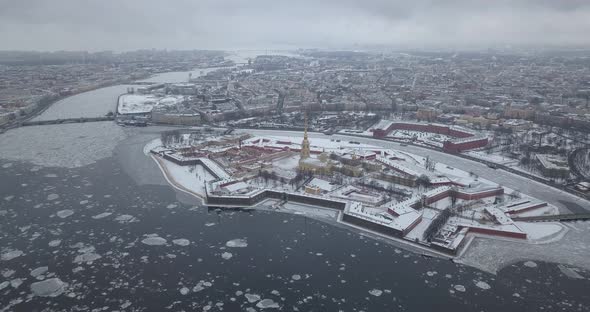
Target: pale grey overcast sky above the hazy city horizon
[(231, 24)]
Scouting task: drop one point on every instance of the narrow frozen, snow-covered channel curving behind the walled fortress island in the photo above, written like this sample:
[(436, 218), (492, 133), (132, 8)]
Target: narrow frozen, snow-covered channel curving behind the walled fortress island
[(564, 201)]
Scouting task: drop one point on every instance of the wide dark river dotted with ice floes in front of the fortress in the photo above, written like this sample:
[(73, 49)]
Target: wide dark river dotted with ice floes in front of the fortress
[(85, 202)]
